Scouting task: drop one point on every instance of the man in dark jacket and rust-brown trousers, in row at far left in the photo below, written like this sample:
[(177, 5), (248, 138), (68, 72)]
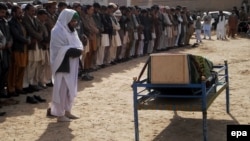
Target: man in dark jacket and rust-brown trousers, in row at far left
[(19, 57)]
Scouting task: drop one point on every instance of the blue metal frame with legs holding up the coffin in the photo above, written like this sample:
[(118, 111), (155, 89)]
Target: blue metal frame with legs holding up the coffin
[(221, 85)]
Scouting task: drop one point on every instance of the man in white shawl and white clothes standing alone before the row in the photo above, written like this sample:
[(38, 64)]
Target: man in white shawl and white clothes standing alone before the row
[(65, 50)]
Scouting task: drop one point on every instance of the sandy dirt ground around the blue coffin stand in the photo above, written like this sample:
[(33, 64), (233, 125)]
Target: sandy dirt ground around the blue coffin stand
[(105, 105)]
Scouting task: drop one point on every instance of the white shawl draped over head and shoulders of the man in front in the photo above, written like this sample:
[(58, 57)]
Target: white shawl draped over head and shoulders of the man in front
[(61, 33)]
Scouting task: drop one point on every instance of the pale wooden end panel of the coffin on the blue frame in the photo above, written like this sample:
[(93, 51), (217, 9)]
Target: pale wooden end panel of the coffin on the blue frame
[(166, 68)]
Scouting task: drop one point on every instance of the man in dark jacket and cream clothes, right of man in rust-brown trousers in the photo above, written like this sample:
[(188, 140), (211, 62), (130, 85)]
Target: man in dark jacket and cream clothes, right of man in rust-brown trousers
[(34, 51)]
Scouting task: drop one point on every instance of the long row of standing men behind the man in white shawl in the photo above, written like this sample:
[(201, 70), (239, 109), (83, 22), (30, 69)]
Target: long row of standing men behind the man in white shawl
[(110, 34)]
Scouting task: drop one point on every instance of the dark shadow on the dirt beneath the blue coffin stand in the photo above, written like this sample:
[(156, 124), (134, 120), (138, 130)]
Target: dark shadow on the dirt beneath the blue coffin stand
[(188, 129)]
